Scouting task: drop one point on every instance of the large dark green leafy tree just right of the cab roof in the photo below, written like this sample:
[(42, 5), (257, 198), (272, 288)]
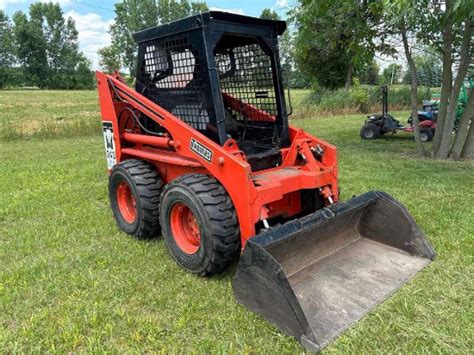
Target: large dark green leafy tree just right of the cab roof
[(335, 38)]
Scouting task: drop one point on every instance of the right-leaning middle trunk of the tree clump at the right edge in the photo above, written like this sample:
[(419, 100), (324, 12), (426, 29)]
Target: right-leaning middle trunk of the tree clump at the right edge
[(445, 143)]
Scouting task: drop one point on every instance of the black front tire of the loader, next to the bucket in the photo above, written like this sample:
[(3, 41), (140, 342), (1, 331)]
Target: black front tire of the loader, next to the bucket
[(214, 212)]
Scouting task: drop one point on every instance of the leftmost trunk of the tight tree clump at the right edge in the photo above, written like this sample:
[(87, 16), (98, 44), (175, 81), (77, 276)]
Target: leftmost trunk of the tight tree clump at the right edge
[(447, 77)]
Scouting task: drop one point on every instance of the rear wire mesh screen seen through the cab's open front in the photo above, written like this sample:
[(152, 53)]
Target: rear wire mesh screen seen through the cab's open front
[(246, 75)]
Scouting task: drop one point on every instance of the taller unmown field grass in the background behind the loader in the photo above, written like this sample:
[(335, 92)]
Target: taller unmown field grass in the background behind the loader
[(45, 114)]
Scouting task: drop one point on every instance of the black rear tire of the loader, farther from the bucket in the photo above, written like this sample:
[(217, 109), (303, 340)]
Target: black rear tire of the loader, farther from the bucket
[(145, 185)]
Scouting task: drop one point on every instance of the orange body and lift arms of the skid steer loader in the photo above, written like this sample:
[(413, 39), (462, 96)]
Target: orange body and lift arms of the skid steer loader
[(256, 195)]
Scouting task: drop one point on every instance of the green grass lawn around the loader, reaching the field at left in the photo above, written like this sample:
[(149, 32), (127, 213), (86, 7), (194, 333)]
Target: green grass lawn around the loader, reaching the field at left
[(70, 281)]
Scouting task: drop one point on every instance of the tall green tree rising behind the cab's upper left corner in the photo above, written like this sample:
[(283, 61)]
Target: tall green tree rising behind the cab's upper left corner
[(135, 15)]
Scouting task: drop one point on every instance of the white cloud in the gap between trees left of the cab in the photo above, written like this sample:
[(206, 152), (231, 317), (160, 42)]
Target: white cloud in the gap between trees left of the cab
[(93, 34)]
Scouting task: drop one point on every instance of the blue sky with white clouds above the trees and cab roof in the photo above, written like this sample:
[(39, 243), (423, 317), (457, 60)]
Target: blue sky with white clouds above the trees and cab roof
[(93, 18)]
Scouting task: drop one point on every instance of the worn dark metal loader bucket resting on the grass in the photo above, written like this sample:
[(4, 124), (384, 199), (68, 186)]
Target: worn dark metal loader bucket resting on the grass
[(315, 276)]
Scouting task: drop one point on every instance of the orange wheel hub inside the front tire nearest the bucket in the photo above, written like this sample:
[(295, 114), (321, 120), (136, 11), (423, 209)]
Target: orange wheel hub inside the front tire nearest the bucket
[(185, 228)]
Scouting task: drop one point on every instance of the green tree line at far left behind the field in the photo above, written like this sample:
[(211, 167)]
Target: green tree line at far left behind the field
[(41, 49)]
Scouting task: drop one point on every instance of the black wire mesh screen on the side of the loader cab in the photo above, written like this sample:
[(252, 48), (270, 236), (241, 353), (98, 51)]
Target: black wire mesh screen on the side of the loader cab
[(173, 78)]
